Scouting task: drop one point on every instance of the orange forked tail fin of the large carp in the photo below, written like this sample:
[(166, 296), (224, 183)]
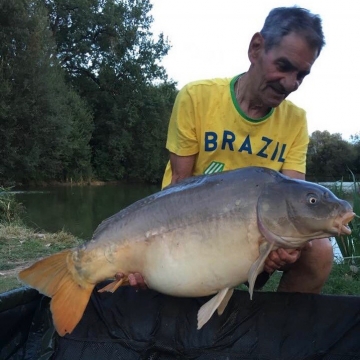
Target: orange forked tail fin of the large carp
[(52, 277)]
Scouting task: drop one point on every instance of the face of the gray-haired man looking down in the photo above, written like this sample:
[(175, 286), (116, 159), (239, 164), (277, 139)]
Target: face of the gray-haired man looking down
[(281, 70)]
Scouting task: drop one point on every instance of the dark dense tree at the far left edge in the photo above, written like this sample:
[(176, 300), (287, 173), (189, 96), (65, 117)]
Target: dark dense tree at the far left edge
[(39, 113)]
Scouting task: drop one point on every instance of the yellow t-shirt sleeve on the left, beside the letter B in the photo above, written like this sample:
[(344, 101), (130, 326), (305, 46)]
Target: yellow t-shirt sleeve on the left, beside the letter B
[(182, 136)]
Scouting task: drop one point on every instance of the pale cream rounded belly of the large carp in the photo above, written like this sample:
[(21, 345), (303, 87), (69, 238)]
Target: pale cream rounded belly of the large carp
[(200, 260)]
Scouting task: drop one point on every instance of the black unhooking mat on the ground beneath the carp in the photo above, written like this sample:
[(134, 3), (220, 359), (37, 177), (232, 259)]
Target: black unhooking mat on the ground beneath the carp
[(144, 324)]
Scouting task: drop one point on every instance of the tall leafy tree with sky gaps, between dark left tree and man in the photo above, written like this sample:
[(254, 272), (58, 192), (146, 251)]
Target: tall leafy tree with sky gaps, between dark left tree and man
[(112, 59)]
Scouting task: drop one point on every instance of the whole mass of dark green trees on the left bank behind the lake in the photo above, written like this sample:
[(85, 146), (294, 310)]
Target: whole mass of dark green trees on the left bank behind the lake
[(82, 91)]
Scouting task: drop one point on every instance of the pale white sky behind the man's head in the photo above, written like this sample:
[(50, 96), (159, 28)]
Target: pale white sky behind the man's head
[(210, 38)]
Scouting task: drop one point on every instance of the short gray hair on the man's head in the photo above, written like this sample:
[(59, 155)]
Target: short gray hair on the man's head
[(285, 20)]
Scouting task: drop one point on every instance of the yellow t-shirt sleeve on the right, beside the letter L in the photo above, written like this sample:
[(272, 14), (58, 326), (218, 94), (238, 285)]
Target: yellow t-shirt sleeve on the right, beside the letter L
[(296, 157)]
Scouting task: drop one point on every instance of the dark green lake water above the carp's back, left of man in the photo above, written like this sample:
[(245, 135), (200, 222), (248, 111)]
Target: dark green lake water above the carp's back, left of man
[(78, 209)]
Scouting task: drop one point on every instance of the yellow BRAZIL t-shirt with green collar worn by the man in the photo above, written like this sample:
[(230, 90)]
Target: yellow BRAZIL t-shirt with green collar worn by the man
[(206, 120)]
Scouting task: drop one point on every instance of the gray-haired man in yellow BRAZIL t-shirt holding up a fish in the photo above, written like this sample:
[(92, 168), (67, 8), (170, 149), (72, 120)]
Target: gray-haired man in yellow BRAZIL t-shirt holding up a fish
[(224, 124)]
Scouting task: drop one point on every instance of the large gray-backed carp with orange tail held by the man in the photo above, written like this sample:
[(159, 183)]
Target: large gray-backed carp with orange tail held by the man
[(203, 236)]
